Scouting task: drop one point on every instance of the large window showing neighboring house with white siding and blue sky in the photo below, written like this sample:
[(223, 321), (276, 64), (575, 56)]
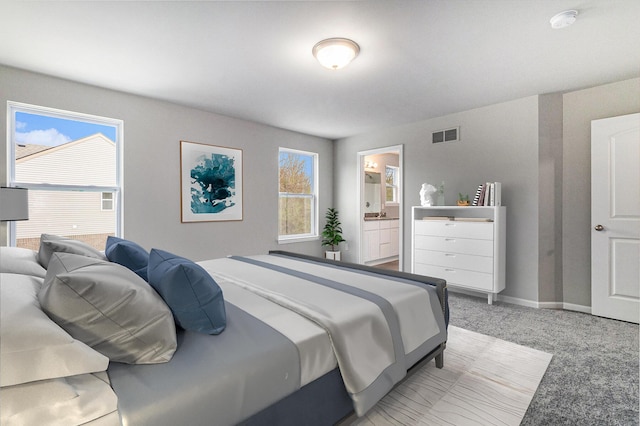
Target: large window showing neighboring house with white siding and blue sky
[(71, 164)]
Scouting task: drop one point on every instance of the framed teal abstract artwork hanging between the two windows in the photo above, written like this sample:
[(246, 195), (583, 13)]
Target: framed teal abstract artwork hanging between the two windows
[(210, 183)]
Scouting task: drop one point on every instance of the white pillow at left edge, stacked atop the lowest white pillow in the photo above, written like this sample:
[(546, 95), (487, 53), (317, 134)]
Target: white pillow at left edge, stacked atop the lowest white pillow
[(32, 346)]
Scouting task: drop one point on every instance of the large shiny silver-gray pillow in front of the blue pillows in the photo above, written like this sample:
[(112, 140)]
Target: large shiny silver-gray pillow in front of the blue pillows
[(110, 308)]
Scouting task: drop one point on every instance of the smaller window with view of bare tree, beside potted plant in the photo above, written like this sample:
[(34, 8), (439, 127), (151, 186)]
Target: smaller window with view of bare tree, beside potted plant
[(298, 200)]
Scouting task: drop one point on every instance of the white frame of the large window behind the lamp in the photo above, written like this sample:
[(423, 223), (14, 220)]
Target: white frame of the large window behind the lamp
[(117, 190)]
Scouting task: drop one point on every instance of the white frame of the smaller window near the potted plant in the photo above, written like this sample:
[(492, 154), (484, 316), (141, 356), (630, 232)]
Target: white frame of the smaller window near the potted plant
[(314, 234)]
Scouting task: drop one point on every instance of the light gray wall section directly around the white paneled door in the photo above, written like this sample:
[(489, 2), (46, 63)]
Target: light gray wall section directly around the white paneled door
[(580, 108)]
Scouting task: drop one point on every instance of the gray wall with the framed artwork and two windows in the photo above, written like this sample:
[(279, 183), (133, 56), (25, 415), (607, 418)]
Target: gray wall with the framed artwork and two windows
[(152, 134)]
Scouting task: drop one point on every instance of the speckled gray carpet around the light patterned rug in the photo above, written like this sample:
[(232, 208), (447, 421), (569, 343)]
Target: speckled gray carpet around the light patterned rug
[(593, 378)]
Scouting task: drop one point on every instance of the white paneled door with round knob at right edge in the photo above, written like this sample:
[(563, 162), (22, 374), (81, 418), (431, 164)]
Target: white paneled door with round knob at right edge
[(615, 217)]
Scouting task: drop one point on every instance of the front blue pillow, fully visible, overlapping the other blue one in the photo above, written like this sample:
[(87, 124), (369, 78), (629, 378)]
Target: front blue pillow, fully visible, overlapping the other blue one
[(192, 294)]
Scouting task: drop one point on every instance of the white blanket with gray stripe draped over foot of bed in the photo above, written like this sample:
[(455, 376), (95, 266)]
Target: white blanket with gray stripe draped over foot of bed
[(367, 325)]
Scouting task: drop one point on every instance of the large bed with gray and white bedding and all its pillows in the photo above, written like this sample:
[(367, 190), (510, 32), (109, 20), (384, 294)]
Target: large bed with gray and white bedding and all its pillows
[(114, 338)]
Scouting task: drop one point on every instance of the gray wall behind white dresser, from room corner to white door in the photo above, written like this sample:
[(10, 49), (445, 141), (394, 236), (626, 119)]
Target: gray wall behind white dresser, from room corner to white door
[(539, 148)]
